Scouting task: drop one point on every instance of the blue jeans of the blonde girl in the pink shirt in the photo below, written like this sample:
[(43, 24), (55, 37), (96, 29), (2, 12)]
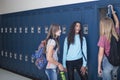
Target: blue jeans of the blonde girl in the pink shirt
[(108, 69)]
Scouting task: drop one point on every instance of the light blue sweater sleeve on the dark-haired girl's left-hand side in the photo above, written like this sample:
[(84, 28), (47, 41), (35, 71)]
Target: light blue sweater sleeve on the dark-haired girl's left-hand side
[(65, 49)]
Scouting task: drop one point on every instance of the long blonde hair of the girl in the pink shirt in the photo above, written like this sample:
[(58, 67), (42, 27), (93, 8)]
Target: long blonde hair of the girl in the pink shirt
[(107, 28)]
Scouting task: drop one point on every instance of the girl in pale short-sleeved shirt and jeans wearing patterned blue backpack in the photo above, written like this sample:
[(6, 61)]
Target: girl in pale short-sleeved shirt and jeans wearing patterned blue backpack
[(52, 48)]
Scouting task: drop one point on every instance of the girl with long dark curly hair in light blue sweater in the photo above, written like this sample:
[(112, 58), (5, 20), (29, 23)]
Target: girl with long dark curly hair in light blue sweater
[(72, 52)]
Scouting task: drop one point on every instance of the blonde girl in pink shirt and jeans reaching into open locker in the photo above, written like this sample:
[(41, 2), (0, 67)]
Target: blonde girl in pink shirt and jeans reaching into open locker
[(107, 29)]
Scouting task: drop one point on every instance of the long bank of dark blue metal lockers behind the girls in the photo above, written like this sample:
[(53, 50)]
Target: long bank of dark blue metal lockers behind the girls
[(21, 33)]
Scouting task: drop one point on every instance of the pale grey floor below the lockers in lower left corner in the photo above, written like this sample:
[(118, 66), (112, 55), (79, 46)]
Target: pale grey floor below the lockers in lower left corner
[(6, 75)]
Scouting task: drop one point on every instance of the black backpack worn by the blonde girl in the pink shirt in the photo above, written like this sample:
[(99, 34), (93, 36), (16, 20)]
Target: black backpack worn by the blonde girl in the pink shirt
[(114, 56)]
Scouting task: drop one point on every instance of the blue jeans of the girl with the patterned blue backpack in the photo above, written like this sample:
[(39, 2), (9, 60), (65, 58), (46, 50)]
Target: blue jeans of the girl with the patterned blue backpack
[(51, 73)]
